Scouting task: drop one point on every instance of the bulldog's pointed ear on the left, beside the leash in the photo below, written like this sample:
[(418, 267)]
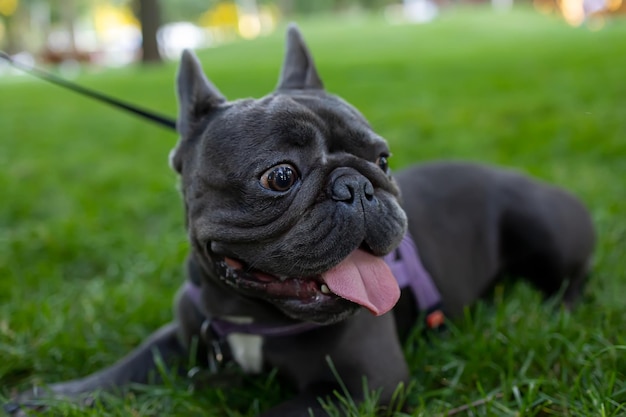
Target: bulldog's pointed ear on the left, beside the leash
[(197, 96)]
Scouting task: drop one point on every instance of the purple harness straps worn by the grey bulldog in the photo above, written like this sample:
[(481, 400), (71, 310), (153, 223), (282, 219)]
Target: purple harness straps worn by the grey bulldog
[(405, 265)]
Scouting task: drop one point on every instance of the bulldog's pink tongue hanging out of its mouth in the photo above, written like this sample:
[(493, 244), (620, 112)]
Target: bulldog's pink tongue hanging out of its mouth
[(364, 279)]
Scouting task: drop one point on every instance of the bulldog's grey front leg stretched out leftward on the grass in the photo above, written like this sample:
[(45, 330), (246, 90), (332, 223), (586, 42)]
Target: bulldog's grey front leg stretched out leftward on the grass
[(139, 366)]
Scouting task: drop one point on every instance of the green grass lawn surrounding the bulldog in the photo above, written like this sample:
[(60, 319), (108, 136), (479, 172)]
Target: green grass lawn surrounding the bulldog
[(91, 228)]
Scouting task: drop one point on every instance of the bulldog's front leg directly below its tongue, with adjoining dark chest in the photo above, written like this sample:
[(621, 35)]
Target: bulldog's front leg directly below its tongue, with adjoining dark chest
[(362, 346)]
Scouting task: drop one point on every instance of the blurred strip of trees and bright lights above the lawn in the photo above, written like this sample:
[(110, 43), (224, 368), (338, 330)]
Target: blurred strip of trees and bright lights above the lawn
[(119, 32)]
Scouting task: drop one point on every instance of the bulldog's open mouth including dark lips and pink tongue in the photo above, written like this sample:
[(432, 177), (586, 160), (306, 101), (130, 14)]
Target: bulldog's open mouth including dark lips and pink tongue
[(361, 278)]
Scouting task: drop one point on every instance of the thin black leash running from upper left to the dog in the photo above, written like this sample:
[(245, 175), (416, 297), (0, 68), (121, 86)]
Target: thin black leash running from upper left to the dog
[(46, 76)]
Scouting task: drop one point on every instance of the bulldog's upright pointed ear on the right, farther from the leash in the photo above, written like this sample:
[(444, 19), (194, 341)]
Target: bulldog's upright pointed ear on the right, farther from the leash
[(298, 72)]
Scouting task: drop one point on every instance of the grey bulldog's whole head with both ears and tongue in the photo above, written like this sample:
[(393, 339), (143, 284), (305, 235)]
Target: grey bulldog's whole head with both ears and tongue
[(288, 198)]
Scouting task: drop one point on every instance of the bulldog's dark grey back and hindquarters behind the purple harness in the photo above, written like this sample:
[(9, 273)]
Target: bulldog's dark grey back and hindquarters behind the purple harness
[(473, 224)]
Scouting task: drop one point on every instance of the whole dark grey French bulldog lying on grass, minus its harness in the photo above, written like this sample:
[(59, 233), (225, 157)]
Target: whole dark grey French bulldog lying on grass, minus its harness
[(290, 207)]
